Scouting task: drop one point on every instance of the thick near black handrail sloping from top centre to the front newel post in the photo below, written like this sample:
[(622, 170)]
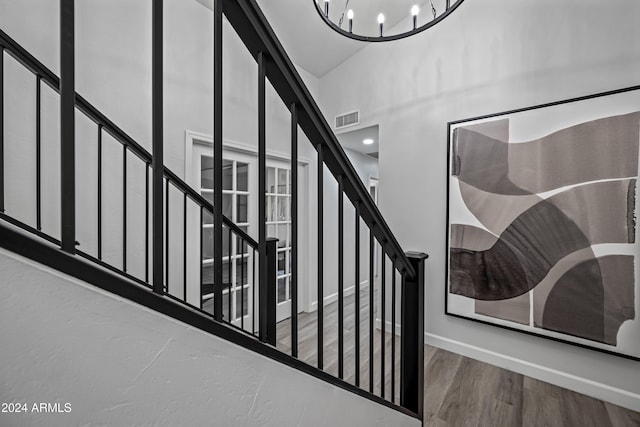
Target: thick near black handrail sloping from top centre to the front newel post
[(253, 29)]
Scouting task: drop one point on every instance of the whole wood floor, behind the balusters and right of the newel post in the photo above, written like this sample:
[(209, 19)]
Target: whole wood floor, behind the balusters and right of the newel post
[(458, 391)]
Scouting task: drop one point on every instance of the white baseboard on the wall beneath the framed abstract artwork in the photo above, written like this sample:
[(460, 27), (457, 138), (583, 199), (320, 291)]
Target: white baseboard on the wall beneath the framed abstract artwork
[(595, 389)]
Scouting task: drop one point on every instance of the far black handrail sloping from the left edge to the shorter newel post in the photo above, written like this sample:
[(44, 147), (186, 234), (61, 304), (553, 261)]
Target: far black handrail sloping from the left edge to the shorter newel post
[(29, 61)]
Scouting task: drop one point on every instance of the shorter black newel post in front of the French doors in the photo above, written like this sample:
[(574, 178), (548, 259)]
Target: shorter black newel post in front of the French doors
[(267, 295)]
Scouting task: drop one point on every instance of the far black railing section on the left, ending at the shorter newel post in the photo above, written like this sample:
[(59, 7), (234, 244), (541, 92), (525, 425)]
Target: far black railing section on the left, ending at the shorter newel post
[(237, 292)]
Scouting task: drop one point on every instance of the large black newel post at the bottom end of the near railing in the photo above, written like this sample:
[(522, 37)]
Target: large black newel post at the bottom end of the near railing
[(412, 336)]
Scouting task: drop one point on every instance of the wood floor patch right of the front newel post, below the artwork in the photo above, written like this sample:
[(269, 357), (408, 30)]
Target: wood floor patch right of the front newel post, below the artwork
[(464, 392)]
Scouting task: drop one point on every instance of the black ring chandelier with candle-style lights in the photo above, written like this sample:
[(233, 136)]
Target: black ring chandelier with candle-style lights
[(368, 20)]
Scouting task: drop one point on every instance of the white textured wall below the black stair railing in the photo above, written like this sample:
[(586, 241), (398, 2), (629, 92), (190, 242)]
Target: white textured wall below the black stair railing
[(117, 363)]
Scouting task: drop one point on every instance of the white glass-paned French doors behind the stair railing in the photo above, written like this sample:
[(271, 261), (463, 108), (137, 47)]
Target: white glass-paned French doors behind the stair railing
[(240, 204)]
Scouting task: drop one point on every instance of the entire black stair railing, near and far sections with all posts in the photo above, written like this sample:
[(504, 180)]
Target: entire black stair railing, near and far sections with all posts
[(172, 206)]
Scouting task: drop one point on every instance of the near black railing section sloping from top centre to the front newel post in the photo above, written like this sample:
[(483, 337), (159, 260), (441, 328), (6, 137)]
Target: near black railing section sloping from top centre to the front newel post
[(386, 259)]
